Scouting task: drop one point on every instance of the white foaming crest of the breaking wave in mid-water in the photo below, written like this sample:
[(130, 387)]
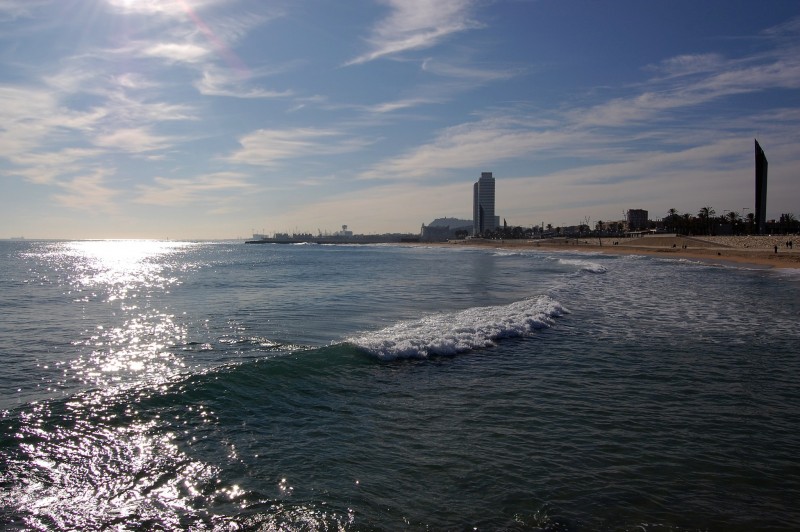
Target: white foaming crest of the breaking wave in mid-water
[(452, 333)]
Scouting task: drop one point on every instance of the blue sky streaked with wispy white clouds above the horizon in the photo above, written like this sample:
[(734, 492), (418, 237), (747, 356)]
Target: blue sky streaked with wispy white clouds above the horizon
[(191, 119)]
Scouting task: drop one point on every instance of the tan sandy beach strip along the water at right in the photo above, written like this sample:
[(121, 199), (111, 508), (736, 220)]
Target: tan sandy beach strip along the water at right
[(755, 250)]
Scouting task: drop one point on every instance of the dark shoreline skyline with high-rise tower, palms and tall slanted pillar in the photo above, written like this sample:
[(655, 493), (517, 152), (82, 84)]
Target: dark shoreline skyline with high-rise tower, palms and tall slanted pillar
[(485, 223)]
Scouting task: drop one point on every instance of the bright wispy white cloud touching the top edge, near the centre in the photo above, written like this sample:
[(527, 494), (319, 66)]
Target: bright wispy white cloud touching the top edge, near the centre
[(415, 25)]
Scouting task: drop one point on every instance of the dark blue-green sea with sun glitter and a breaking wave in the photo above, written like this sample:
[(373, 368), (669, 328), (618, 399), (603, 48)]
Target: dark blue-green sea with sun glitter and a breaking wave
[(222, 386)]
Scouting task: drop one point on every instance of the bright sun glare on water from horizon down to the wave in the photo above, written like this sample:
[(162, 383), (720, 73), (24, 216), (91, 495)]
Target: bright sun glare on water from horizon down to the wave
[(134, 337)]
